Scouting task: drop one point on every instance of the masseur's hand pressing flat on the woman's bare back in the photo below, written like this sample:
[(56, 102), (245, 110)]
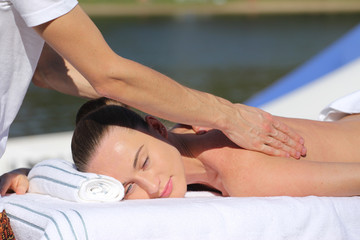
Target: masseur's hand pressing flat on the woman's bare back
[(262, 132)]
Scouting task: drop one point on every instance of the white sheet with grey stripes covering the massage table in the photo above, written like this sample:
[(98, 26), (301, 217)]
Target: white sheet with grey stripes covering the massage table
[(42, 217)]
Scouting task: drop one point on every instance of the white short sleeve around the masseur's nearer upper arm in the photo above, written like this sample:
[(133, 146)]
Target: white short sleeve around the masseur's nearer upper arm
[(36, 12)]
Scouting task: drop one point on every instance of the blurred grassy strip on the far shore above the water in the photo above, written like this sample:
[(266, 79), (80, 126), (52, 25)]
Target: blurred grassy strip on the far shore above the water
[(164, 7)]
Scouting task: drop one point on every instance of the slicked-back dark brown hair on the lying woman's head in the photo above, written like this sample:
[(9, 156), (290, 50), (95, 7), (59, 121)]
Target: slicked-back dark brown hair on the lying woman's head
[(92, 127)]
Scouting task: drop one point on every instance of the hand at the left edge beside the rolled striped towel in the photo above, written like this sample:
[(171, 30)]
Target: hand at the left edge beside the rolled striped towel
[(14, 181)]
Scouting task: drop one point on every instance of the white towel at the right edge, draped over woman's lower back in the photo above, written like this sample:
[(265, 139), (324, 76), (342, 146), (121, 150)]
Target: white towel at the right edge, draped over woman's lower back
[(350, 104)]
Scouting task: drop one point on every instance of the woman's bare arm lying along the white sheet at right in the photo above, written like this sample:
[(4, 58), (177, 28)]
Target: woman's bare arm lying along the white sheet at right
[(256, 175)]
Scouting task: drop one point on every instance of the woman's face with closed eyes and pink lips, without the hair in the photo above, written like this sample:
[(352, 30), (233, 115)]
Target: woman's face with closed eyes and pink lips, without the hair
[(157, 163)]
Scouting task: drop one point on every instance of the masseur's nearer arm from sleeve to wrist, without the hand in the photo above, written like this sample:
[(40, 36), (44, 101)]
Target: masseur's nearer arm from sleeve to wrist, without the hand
[(129, 82)]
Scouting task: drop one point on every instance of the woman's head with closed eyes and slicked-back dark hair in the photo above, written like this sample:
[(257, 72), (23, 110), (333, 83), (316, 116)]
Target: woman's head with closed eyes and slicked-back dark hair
[(117, 142)]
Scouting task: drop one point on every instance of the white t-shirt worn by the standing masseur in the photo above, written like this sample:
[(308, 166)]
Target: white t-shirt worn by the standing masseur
[(20, 49)]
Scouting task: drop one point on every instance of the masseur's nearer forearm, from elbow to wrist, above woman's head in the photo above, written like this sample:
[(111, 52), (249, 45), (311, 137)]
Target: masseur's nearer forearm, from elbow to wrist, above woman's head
[(157, 94)]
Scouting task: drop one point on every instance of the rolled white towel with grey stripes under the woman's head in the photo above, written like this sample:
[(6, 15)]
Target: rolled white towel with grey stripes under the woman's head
[(59, 178)]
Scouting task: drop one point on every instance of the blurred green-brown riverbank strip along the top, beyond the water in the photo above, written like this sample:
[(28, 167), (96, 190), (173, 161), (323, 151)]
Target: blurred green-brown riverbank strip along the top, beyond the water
[(251, 7)]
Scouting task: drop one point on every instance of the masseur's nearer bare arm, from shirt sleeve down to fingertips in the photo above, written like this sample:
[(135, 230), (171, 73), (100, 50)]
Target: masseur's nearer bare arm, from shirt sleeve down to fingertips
[(78, 40)]
